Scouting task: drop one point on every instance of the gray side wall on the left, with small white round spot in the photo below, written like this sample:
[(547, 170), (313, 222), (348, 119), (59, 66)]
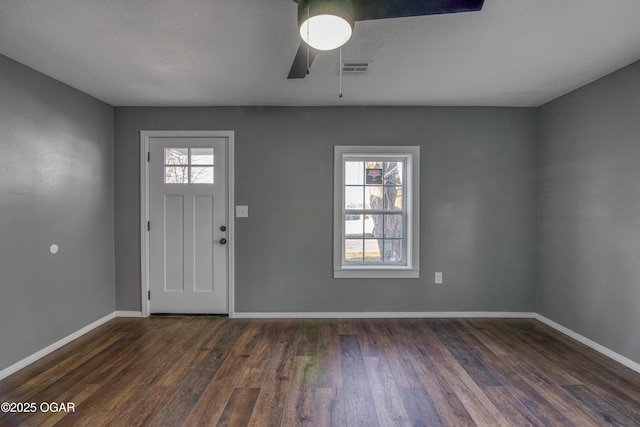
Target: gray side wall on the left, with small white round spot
[(56, 186)]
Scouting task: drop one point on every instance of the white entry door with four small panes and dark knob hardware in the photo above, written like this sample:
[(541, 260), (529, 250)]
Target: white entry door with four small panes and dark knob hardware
[(188, 224)]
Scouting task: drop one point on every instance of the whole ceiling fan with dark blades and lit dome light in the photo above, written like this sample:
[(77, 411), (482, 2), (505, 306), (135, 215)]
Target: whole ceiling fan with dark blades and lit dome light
[(347, 12)]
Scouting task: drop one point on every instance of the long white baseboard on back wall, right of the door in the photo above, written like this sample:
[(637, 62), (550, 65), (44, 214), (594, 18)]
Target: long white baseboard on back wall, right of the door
[(384, 315)]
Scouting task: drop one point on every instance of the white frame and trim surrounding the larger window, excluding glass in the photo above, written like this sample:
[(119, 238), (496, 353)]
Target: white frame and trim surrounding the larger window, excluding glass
[(410, 268)]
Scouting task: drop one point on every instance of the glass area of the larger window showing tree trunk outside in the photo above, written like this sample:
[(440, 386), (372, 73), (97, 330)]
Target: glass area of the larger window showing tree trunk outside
[(374, 211)]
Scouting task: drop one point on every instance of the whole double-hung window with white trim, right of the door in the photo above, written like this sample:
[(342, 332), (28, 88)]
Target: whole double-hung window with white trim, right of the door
[(376, 211)]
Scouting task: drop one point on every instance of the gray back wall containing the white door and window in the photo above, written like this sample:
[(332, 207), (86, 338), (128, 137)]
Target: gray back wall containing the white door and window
[(477, 205)]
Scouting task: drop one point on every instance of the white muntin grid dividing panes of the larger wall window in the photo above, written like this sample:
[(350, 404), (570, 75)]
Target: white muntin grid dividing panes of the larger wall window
[(403, 212)]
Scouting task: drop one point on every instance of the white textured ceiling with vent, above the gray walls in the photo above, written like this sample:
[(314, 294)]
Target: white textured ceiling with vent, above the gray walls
[(238, 52)]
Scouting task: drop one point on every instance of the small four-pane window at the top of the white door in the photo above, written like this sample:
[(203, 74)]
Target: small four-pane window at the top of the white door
[(188, 165)]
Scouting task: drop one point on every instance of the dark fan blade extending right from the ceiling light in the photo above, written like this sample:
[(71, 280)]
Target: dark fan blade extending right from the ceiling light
[(381, 9)]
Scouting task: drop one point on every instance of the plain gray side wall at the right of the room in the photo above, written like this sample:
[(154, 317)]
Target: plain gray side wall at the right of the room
[(589, 211)]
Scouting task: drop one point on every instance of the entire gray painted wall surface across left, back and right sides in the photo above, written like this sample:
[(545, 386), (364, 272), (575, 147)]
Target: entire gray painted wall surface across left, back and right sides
[(522, 209)]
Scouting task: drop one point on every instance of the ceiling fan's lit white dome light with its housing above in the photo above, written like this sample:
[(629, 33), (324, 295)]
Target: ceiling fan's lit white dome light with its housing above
[(325, 24)]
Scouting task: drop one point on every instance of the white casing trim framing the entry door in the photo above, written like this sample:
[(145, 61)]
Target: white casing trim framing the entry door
[(145, 140)]
